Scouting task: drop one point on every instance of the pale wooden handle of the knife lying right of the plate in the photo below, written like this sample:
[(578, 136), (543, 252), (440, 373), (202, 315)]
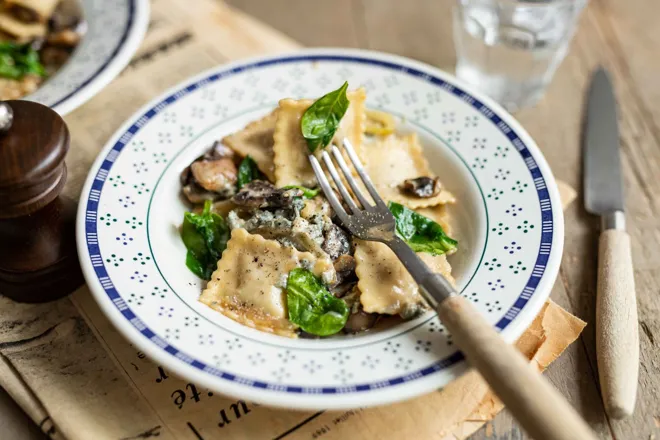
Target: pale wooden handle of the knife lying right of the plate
[(617, 339)]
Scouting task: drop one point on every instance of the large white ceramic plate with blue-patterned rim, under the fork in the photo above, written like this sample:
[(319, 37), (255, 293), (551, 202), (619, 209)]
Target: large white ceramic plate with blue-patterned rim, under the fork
[(508, 218)]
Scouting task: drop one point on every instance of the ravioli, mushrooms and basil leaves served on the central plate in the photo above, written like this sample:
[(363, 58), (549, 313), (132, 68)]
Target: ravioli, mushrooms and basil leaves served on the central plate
[(265, 238)]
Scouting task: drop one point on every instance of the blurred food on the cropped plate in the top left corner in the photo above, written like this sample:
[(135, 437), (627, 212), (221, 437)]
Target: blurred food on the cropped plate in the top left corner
[(36, 38)]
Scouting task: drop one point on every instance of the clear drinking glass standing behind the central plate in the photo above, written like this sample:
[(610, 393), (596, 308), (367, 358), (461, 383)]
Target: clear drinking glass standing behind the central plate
[(510, 49)]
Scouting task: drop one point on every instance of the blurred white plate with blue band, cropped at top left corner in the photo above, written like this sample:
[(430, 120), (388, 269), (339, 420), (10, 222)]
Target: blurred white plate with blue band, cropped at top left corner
[(115, 29)]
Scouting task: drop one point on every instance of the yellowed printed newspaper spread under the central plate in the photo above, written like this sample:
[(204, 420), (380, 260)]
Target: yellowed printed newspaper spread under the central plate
[(77, 378)]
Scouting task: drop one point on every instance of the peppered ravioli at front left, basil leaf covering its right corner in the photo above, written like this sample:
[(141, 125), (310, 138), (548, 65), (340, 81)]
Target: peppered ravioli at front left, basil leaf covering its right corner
[(249, 284)]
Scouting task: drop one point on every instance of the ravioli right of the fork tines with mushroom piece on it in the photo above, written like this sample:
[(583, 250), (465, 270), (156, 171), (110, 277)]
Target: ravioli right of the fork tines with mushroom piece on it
[(390, 160)]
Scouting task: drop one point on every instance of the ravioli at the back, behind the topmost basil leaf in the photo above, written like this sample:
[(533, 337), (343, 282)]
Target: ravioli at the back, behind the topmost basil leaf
[(290, 148)]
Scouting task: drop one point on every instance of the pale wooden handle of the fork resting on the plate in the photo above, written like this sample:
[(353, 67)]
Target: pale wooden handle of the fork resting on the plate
[(536, 404)]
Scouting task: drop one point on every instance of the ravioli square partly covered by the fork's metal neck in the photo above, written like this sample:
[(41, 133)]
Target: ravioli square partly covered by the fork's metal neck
[(385, 284)]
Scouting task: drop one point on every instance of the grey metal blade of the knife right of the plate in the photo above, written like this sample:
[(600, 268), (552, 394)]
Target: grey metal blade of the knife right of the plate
[(603, 183)]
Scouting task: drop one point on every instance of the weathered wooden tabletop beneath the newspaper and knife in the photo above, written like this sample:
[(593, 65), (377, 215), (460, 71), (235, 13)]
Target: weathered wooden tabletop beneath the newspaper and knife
[(622, 36)]
